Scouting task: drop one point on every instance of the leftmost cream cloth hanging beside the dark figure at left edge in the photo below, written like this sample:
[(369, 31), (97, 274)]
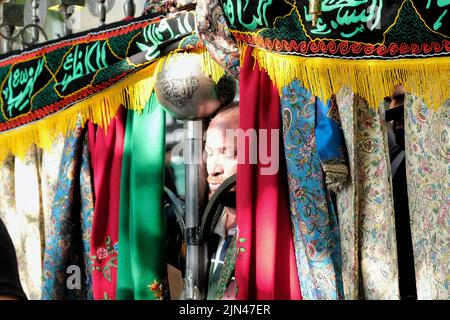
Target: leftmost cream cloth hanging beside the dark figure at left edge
[(21, 212)]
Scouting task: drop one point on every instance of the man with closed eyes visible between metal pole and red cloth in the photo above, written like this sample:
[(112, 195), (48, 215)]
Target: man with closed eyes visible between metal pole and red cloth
[(221, 161)]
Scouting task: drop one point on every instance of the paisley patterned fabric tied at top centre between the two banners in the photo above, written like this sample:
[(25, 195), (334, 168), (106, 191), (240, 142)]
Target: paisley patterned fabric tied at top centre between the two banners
[(212, 28)]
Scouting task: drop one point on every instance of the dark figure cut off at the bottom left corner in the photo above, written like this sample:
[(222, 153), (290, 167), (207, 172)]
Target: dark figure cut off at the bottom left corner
[(10, 287)]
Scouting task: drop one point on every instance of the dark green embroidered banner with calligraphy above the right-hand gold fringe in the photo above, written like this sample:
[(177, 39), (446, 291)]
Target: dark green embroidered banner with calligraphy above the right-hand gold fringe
[(350, 29)]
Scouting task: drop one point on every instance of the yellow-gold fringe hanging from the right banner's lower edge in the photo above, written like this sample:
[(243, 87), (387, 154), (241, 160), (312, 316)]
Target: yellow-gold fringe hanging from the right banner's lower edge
[(371, 79)]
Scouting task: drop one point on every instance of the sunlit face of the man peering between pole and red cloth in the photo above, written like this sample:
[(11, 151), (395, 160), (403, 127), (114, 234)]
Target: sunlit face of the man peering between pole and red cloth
[(221, 154)]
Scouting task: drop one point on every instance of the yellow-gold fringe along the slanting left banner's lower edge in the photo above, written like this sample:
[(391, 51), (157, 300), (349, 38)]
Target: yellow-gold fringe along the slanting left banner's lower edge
[(132, 92)]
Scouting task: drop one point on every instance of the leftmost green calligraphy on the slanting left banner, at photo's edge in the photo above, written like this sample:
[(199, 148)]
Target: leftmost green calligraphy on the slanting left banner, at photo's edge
[(20, 87)]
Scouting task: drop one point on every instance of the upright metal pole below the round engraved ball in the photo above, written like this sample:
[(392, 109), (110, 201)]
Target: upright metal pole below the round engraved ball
[(195, 180)]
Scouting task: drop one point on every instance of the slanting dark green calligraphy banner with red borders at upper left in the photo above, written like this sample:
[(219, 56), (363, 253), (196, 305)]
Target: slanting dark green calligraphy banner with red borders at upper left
[(52, 76)]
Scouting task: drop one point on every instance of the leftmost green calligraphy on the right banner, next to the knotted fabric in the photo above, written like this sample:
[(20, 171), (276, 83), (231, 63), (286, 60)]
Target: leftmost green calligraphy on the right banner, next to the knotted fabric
[(257, 20)]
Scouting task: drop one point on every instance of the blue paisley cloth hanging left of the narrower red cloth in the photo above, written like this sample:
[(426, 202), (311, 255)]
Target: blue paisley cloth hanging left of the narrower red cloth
[(67, 244)]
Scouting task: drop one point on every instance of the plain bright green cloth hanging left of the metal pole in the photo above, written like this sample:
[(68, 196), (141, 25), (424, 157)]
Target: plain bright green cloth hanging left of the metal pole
[(142, 231)]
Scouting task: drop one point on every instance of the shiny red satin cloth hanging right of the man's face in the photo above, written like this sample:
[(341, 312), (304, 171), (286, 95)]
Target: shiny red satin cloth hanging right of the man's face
[(265, 265)]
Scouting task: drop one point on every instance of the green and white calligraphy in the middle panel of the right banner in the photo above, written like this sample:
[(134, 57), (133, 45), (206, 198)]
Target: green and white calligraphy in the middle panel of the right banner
[(348, 17)]
